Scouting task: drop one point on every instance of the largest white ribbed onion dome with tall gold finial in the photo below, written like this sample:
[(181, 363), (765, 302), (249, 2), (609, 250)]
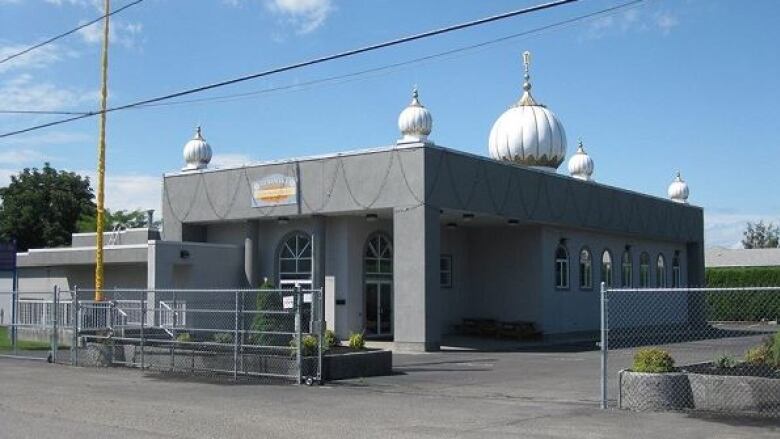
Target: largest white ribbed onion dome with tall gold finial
[(528, 133)]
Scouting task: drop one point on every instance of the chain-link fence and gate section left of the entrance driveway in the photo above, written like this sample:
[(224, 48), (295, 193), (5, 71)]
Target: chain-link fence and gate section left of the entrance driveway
[(262, 334)]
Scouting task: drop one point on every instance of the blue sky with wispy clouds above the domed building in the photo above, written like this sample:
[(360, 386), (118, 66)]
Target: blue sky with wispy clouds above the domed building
[(668, 85)]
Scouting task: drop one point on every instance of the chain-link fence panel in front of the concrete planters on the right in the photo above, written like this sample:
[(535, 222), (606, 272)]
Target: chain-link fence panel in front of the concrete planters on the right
[(709, 349)]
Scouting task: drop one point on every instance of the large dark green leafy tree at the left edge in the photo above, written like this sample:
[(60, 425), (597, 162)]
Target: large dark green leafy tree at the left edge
[(41, 207)]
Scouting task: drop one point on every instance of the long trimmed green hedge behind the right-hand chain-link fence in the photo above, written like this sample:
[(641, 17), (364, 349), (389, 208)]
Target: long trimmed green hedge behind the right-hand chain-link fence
[(743, 306)]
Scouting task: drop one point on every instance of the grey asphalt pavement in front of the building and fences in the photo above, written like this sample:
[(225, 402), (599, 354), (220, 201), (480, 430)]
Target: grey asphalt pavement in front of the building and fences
[(544, 393)]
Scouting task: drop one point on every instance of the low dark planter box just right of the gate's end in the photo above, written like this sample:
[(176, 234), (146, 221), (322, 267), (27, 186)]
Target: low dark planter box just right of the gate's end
[(357, 364)]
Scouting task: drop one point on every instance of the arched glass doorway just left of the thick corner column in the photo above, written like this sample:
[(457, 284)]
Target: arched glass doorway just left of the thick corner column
[(378, 286)]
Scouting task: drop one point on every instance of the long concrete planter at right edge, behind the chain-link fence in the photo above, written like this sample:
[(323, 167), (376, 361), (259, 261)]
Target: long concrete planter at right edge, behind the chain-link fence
[(735, 394)]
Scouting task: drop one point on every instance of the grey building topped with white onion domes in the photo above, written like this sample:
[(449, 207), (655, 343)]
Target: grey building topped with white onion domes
[(410, 239)]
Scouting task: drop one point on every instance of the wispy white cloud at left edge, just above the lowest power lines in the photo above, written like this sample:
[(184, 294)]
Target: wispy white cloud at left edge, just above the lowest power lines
[(23, 92)]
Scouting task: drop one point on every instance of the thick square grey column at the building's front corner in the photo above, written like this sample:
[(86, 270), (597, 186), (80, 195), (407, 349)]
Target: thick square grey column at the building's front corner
[(416, 295)]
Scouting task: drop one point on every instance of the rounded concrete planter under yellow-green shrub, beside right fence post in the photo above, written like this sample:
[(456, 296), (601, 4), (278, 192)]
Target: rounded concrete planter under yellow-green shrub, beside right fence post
[(654, 391)]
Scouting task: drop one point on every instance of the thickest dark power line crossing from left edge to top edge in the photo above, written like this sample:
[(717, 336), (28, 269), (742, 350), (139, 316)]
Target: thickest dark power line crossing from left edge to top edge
[(307, 63)]
